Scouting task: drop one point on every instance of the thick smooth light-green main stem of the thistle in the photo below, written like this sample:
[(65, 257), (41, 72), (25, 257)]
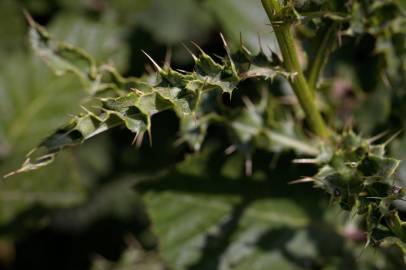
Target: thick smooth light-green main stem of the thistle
[(299, 84)]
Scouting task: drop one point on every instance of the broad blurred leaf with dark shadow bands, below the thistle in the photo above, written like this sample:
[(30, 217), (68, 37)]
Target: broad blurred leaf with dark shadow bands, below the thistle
[(207, 215)]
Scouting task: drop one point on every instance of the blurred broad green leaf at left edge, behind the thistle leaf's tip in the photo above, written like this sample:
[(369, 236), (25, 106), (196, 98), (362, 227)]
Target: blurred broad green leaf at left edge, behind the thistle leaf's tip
[(32, 101)]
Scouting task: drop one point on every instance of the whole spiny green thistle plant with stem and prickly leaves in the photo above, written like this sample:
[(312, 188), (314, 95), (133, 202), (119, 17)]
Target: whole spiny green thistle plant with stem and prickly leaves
[(356, 172)]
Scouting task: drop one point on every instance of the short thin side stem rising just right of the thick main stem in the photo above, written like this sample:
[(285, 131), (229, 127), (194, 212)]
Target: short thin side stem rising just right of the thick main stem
[(320, 60)]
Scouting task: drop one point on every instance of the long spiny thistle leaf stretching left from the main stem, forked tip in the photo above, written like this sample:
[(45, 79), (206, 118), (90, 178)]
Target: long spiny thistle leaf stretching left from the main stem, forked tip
[(183, 92)]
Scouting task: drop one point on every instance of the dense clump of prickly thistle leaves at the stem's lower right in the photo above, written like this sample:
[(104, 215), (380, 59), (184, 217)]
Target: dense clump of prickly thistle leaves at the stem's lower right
[(360, 177)]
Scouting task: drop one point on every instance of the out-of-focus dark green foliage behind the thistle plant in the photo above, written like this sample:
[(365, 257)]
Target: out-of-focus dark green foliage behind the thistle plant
[(108, 205)]
